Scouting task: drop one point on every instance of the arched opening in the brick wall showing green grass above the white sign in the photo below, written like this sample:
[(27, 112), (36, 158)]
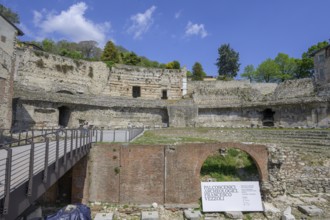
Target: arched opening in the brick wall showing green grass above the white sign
[(229, 164)]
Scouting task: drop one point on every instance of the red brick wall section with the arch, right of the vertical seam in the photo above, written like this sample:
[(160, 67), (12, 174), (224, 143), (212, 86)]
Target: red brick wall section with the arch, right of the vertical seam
[(184, 162)]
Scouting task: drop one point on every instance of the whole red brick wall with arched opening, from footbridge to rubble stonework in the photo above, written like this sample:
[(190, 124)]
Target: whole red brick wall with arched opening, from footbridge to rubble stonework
[(145, 174)]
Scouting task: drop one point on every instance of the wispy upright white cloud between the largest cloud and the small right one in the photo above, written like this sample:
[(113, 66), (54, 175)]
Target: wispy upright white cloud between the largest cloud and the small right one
[(141, 22)]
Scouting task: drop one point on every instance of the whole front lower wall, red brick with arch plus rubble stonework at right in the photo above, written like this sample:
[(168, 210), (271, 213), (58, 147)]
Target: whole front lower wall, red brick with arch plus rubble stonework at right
[(171, 174)]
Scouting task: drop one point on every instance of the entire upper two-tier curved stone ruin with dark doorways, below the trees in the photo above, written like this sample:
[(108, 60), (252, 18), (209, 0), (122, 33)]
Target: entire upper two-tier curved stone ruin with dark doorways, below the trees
[(53, 91)]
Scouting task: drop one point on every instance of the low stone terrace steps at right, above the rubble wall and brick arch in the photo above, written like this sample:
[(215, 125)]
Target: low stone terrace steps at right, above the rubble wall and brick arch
[(307, 140)]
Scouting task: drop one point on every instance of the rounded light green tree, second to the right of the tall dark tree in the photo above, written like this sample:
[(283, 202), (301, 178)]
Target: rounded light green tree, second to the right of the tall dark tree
[(268, 71)]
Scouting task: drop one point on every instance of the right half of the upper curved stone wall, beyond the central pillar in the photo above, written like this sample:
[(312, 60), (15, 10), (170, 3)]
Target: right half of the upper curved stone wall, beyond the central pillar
[(241, 104)]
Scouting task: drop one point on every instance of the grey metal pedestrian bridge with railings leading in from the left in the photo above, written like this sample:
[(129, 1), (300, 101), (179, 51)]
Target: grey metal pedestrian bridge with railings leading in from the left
[(36, 159)]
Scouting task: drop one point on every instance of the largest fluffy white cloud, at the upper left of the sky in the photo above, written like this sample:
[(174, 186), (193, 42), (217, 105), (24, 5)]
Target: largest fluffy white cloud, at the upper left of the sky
[(71, 24)]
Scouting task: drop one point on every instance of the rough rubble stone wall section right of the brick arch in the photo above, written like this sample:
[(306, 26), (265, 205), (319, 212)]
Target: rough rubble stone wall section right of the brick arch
[(297, 172)]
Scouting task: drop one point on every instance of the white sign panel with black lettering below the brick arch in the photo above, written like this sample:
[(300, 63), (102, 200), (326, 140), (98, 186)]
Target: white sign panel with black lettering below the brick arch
[(231, 196)]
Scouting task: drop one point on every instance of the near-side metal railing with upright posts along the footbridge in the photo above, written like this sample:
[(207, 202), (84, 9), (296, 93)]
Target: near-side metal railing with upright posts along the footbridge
[(24, 158)]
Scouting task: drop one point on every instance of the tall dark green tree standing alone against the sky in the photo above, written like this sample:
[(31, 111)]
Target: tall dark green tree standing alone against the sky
[(228, 62)]
